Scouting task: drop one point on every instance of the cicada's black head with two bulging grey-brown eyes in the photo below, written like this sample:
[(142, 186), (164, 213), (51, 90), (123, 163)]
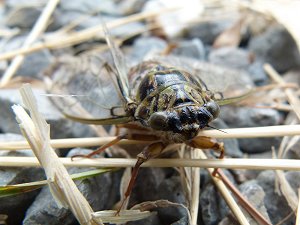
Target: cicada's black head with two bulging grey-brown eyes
[(183, 123)]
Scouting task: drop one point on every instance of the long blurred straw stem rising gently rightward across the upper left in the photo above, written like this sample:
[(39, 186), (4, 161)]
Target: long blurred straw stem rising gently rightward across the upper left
[(84, 35)]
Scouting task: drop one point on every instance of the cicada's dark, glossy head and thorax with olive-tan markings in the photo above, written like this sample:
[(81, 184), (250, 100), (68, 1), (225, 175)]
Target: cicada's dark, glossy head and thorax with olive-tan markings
[(171, 102)]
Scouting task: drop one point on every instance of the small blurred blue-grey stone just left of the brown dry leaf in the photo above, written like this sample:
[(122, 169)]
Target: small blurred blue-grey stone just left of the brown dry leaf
[(192, 49)]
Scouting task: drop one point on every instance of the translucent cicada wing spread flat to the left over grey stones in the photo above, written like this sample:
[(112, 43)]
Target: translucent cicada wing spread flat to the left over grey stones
[(84, 90)]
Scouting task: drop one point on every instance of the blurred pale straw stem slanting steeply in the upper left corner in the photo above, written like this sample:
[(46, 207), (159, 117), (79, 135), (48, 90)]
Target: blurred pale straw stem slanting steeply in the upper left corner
[(36, 31)]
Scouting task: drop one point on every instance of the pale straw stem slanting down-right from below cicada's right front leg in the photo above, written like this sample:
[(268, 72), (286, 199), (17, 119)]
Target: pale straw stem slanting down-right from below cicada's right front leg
[(226, 195)]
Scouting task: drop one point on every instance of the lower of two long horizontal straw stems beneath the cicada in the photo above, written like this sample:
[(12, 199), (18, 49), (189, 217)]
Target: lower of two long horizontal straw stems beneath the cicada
[(253, 164)]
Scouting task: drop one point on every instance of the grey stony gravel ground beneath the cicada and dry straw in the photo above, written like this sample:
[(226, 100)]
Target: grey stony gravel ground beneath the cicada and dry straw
[(257, 41)]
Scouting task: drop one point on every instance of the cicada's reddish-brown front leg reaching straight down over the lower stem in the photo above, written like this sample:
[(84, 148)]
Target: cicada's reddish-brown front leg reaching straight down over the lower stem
[(151, 151)]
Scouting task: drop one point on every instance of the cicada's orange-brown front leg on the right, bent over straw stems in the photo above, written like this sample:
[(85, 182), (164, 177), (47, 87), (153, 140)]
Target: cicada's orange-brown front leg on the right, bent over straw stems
[(208, 143)]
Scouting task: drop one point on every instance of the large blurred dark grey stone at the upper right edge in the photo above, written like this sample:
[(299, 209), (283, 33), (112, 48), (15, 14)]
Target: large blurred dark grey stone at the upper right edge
[(277, 47)]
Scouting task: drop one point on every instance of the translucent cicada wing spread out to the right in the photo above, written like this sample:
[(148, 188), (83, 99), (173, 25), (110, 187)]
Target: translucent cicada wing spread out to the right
[(226, 85)]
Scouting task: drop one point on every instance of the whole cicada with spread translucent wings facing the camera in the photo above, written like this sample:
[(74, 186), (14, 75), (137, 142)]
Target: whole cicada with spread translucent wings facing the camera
[(165, 99)]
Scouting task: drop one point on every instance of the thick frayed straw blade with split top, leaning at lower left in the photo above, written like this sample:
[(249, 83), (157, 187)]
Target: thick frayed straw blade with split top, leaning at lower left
[(63, 189)]
